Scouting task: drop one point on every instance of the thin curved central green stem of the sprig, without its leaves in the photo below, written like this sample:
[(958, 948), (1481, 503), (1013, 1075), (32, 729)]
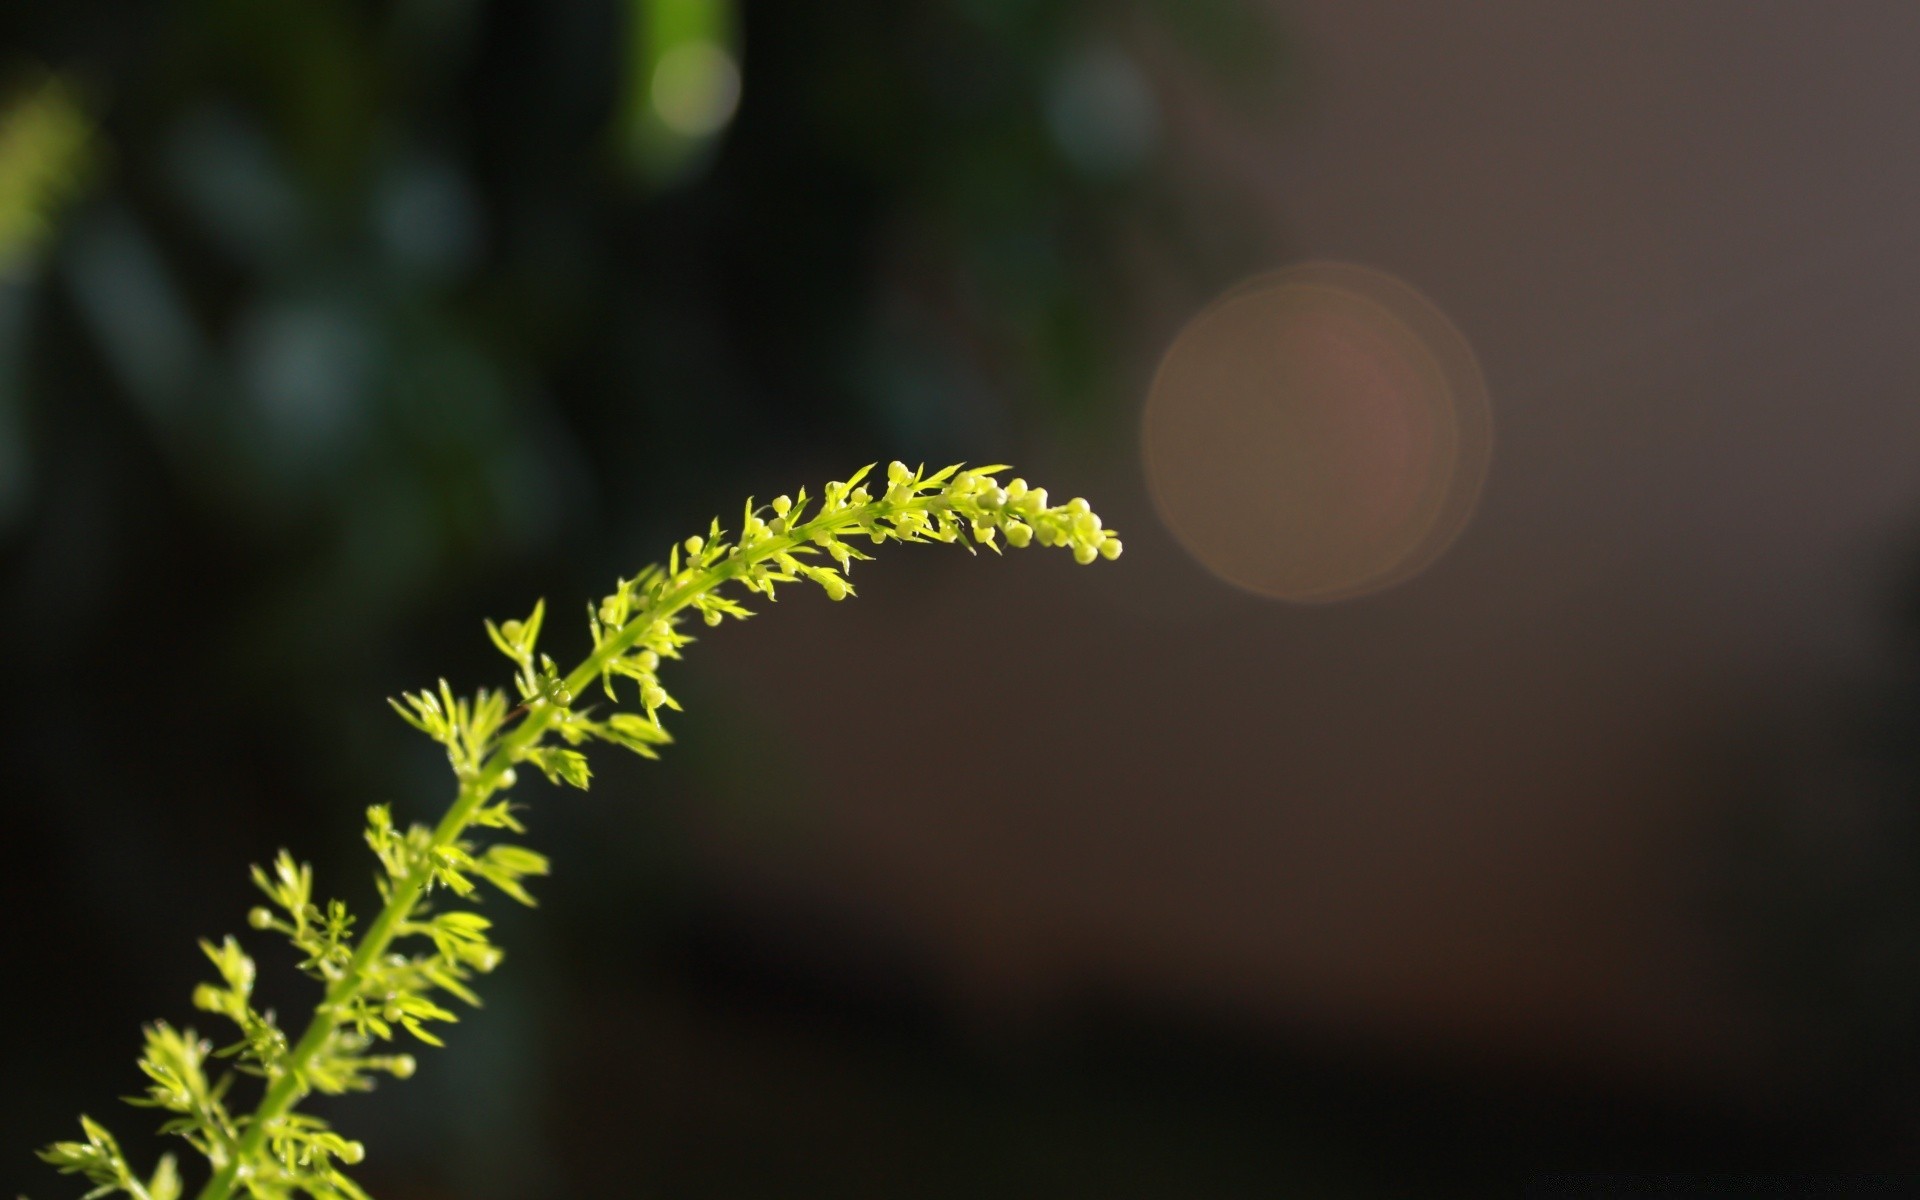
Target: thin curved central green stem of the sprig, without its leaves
[(289, 1088)]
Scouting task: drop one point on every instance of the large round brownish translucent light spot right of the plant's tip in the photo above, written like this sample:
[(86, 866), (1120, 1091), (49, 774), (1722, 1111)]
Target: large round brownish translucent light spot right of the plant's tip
[(1318, 435)]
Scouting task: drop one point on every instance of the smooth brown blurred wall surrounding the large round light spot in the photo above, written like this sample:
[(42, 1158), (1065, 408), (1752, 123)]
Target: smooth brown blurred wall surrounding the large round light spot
[(1470, 813)]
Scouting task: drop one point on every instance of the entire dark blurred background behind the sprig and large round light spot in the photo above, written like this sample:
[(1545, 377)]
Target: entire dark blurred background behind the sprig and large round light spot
[(329, 329)]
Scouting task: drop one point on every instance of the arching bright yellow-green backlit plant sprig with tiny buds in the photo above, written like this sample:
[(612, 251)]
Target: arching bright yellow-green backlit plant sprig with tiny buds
[(425, 946)]
